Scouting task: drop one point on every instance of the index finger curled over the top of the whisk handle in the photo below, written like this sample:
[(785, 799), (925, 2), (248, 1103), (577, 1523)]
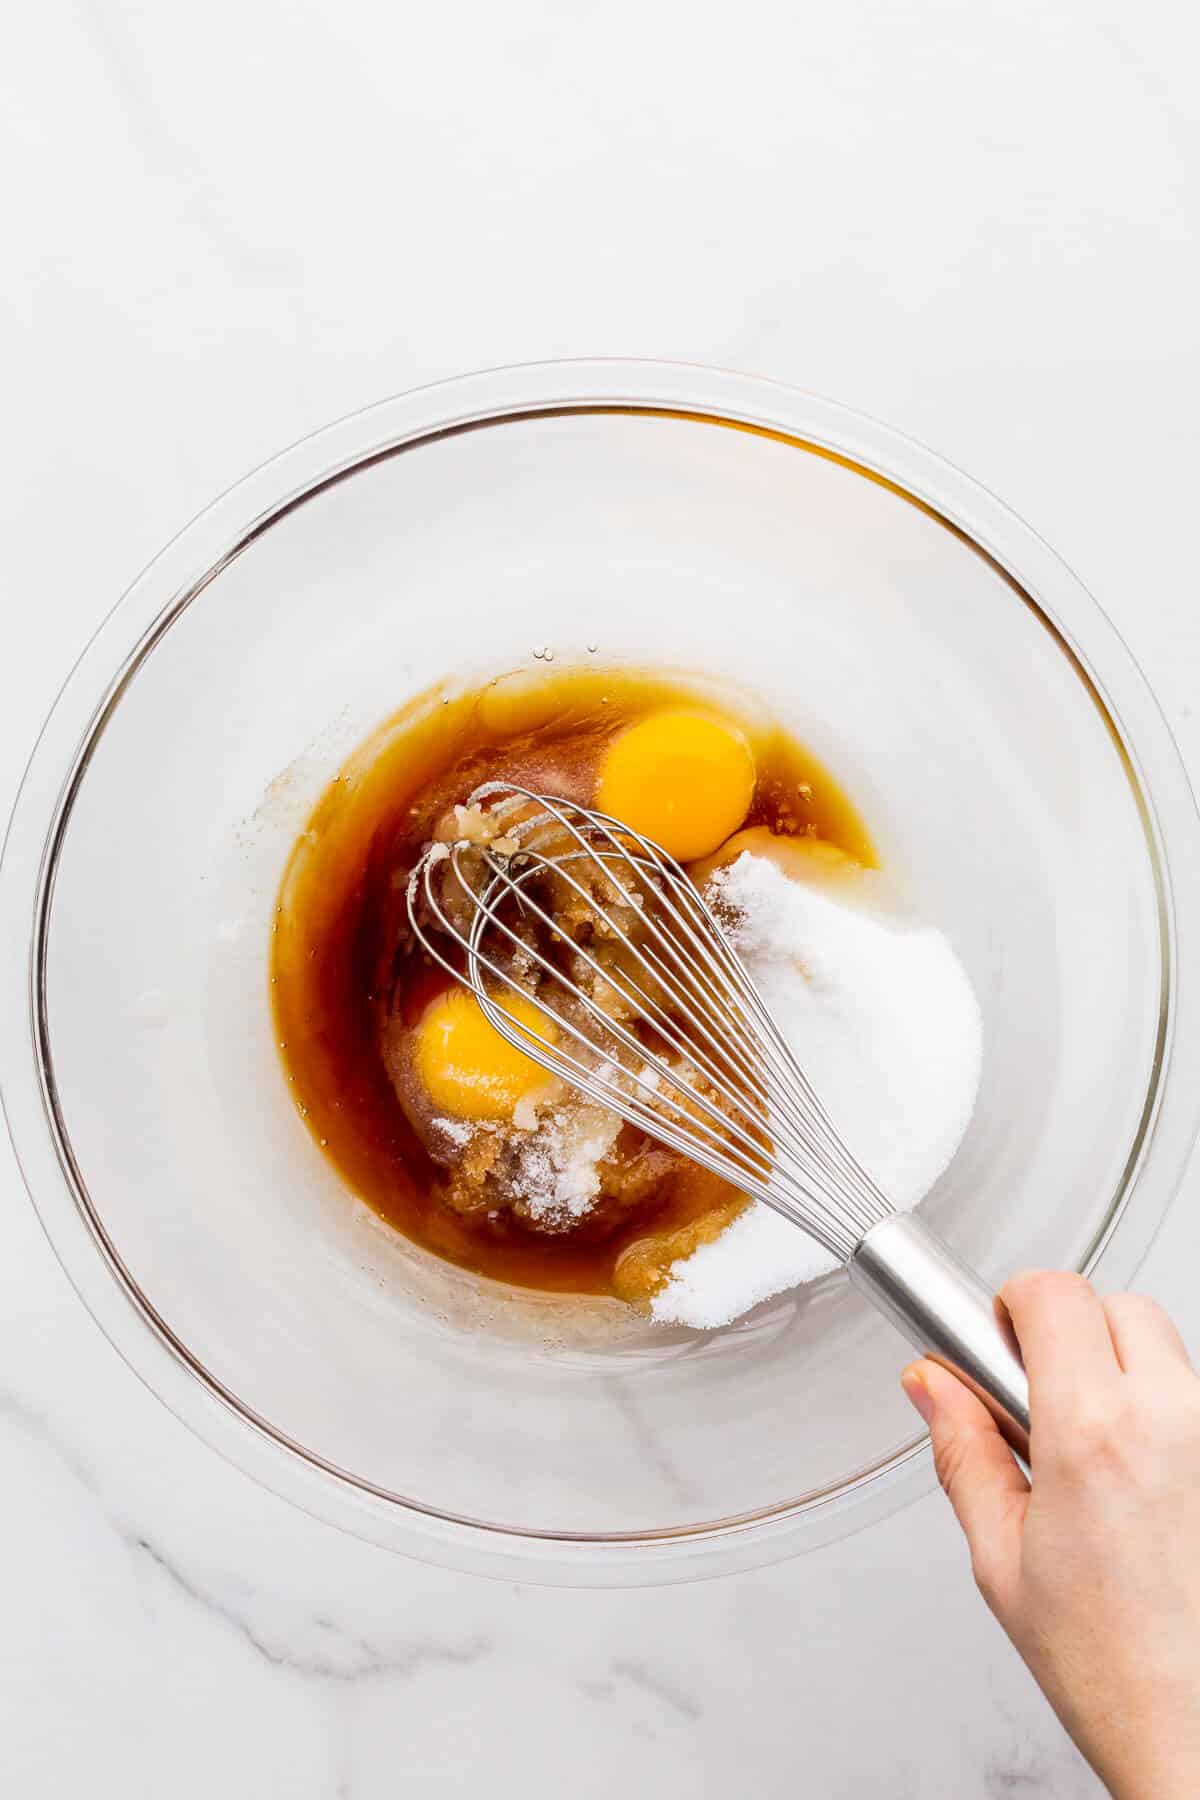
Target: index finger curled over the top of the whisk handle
[(1064, 1340)]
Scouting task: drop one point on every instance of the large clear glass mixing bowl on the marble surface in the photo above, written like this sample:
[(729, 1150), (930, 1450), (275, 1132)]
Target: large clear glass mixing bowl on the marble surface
[(942, 661)]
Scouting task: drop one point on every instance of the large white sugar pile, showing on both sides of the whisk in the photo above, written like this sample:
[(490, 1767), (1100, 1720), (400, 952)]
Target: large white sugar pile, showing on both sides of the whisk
[(886, 1025)]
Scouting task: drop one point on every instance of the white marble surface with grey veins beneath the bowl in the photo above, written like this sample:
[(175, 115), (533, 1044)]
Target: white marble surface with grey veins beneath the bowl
[(235, 222)]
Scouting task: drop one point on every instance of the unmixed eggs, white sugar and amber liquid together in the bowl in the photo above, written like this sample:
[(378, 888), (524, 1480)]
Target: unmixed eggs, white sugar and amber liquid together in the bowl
[(472, 1149)]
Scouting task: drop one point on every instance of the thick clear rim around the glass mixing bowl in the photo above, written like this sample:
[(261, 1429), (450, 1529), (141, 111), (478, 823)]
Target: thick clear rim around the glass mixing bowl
[(181, 573)]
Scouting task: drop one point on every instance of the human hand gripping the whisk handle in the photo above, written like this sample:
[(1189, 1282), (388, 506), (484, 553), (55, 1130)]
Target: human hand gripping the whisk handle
[(1095, 1570)]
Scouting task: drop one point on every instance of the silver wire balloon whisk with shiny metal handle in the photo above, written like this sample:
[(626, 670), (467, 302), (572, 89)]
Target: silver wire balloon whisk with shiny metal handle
[(641, 1002)]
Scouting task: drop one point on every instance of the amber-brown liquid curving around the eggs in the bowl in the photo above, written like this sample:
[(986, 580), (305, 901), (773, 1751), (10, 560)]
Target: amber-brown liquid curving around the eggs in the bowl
[(336, 969)]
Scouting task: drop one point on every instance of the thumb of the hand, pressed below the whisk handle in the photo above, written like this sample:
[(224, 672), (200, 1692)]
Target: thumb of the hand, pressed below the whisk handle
[(978, 1471)]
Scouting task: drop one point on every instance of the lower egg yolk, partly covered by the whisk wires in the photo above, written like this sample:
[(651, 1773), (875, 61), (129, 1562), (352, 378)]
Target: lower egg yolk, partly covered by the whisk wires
[(463, 1063)]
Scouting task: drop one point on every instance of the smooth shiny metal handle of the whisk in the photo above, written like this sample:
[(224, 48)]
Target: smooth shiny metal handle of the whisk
[(949, 1315)]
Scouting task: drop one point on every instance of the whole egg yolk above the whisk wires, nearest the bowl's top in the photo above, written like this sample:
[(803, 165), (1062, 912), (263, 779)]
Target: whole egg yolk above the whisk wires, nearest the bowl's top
[(685, 780)]
